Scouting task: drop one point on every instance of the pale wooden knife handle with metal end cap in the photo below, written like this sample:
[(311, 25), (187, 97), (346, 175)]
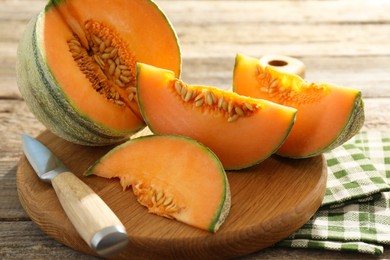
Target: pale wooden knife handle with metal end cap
[(99, 227)]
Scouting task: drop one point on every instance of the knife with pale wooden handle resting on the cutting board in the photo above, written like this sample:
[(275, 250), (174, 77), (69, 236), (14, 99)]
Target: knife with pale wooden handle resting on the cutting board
[(98, 226)]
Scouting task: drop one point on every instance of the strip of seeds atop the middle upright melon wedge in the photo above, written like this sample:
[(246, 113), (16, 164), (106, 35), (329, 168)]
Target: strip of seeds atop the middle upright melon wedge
[(232, 108)]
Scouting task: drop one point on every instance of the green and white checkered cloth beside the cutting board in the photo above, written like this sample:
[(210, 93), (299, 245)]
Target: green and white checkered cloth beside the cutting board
[(355, 212)]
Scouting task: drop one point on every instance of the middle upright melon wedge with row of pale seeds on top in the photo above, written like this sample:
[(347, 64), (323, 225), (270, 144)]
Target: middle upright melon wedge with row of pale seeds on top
[(241, 131)]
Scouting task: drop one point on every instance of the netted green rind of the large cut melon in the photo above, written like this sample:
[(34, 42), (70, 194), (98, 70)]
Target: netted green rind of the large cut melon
[(46, 99)]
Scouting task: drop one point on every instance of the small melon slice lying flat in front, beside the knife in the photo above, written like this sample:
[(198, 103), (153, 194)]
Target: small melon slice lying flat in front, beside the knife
[(173, 176)]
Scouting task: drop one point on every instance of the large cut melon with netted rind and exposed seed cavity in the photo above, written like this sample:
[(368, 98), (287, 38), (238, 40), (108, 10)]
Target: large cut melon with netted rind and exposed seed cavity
[(76, 65)]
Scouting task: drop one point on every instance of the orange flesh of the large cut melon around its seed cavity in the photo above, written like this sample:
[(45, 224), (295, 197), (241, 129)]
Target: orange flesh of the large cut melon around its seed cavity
[(147, 34)]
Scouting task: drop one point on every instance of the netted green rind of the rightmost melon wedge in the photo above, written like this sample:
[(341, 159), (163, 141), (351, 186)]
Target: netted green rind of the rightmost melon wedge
[(353, 125)]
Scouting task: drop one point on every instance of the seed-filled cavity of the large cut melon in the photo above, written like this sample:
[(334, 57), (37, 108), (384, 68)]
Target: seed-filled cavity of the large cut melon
[(107, 62)]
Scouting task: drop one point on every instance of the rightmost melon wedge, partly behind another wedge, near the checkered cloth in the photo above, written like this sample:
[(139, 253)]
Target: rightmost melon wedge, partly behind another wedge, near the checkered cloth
[(328, 115)]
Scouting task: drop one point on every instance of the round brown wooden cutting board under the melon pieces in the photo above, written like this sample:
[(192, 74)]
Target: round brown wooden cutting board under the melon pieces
[(269, 202)]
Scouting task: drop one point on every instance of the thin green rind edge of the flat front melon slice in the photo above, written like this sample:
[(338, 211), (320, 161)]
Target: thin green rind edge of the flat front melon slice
[(224, 207)]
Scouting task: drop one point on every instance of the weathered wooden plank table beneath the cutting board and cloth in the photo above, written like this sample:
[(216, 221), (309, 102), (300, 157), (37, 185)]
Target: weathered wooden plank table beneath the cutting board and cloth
[(344, 42)]
